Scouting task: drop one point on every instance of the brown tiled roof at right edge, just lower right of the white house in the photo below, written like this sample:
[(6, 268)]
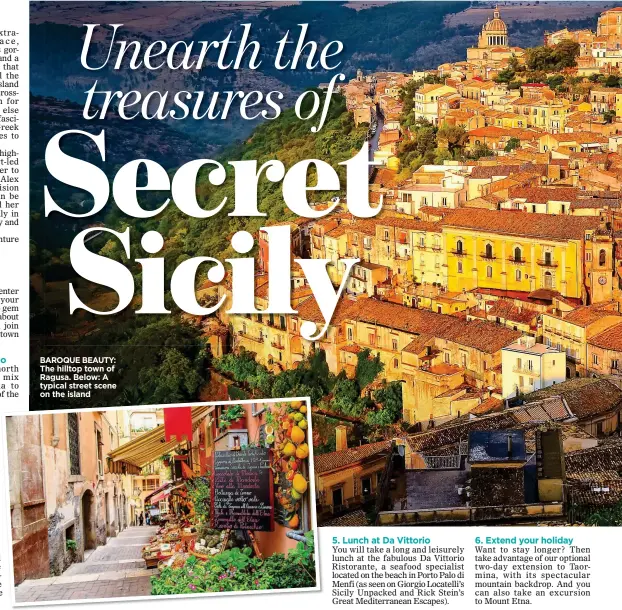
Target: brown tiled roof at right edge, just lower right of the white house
[(585, 397)]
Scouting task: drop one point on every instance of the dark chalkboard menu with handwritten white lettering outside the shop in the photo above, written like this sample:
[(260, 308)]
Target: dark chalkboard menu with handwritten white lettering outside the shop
[(242, 494)]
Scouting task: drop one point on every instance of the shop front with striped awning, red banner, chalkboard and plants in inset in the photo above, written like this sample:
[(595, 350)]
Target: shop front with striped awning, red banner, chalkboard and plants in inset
[(237, 500)]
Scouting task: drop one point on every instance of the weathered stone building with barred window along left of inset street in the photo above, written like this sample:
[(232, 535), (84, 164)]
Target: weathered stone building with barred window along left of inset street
[(64, 502)]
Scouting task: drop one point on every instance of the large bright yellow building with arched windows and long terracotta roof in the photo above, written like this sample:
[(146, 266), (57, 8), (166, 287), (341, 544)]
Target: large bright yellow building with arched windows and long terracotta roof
[(516, 251)]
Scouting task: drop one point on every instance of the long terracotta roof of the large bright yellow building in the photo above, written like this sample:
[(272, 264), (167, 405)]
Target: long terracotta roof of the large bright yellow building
[(544, 226)]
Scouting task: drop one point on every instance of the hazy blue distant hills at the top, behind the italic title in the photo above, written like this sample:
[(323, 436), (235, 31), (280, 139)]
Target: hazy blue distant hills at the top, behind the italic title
[(383, 36)]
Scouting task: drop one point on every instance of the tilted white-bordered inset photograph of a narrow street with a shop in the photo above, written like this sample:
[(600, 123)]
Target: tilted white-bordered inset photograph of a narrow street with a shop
[(141, 501)]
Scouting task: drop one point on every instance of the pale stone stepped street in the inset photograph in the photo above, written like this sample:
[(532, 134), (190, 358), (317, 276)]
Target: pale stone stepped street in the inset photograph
[(113, 570)]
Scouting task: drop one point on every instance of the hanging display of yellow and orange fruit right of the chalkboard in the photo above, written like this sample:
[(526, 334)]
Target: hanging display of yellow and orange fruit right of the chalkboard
[(286, 435)]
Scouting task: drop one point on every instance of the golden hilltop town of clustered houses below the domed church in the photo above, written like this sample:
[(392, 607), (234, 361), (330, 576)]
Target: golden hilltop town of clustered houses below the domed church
[(479, 343)]
